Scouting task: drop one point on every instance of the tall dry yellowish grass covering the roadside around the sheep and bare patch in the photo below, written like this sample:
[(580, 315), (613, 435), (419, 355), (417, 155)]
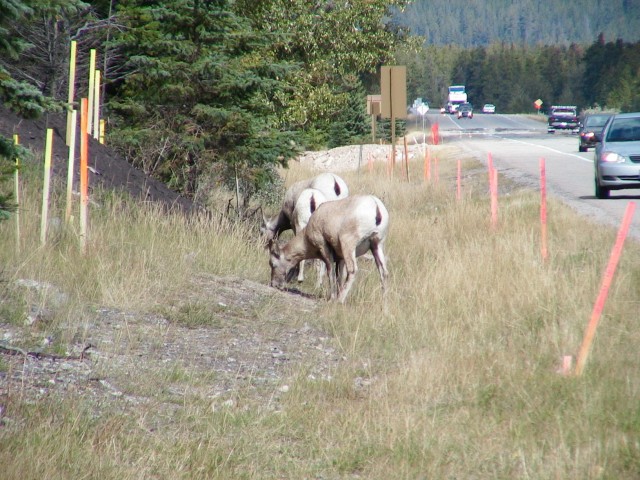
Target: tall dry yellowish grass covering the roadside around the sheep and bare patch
[(452, 375)]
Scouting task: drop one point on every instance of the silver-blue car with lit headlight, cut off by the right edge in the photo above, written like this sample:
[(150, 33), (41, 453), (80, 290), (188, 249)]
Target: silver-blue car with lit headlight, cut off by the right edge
[(617, 154)]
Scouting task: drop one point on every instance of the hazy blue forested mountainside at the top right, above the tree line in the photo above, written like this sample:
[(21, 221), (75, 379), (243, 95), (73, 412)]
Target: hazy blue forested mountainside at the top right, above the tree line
[(471, 23)]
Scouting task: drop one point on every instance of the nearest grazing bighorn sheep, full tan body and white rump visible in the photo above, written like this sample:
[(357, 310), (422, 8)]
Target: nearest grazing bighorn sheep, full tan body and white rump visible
[(337, 233)]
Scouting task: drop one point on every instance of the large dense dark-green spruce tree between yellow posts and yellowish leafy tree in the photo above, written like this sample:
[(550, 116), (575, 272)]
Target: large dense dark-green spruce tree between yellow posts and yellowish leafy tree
[(200, 95)]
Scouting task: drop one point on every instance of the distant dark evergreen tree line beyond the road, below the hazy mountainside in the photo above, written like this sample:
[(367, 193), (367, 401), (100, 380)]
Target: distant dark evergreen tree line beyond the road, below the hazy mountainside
[(602, 75)]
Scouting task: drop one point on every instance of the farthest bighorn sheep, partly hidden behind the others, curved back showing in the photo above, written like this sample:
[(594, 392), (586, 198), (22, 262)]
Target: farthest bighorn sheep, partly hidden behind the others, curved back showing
[(331, 185)]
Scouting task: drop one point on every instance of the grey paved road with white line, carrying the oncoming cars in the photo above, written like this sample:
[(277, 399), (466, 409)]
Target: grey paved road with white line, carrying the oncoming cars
[(518, 142)]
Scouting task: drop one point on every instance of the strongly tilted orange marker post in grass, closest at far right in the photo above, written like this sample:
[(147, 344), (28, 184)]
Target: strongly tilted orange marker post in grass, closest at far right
[(604, 289)]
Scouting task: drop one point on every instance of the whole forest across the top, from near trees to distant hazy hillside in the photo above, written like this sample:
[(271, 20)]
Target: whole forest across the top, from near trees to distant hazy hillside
[(220, 93)]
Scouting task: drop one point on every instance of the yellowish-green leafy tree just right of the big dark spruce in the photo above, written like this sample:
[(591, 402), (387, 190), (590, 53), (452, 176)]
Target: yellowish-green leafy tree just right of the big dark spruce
[(334, 42)]
